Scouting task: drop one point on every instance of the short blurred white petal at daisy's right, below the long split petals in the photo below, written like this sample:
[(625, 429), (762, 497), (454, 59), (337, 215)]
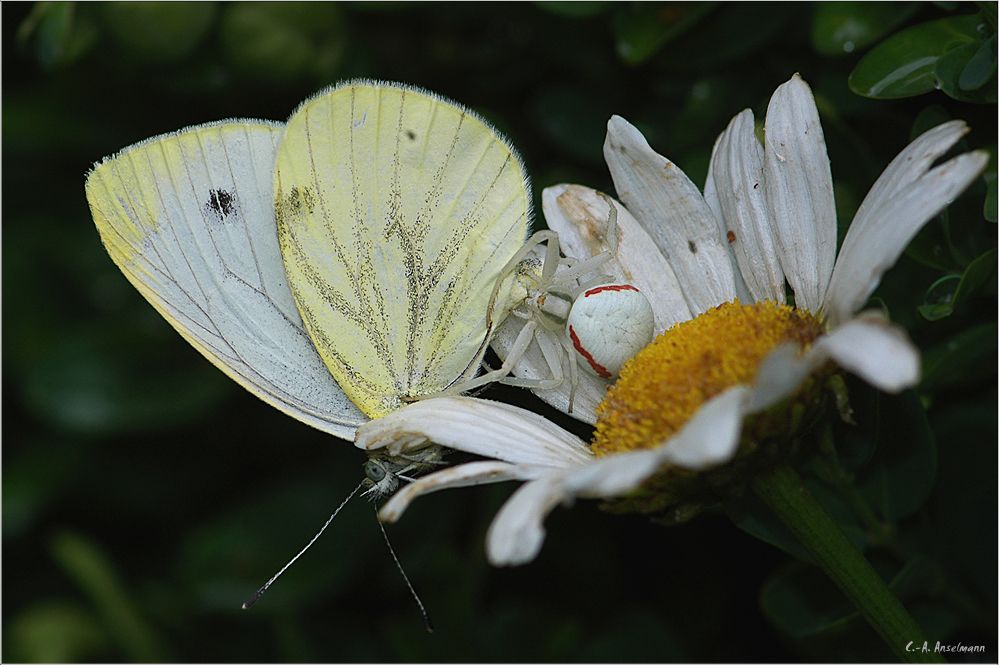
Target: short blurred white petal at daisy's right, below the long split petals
[(874, 349)]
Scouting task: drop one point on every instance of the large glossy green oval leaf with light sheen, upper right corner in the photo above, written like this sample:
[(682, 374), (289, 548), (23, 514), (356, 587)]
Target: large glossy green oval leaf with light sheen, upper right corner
[(904, 64)]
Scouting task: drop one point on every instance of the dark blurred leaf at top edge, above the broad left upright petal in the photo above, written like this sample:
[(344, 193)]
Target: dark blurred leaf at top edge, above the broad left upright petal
[(642, 29)]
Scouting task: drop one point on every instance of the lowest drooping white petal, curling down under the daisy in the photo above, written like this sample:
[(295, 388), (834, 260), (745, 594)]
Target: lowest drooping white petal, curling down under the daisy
[(517, 532)]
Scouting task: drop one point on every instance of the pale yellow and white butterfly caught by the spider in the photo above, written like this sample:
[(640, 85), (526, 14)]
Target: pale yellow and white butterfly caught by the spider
[(398, 211)]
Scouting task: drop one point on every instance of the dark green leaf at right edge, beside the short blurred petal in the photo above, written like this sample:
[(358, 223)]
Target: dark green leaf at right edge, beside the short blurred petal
[(967, 357)]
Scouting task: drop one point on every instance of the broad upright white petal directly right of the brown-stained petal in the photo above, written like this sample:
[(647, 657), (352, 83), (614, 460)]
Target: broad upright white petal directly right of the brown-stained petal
[(670, 207)]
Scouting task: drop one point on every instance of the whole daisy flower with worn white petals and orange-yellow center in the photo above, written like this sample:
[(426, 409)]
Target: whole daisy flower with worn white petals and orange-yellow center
[(737, 372)]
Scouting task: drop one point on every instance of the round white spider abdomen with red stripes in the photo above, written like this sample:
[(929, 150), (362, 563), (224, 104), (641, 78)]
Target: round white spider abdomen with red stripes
[(608, 325)]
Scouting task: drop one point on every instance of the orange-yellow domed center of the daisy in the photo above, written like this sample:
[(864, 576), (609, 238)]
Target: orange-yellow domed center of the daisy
[(664, 385)]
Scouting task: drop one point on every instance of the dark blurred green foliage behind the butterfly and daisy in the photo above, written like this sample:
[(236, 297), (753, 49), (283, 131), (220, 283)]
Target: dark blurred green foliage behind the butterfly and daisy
[(146, 496)]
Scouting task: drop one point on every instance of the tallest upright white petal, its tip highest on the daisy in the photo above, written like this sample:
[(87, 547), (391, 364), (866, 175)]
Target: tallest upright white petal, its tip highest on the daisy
[(799, 192)]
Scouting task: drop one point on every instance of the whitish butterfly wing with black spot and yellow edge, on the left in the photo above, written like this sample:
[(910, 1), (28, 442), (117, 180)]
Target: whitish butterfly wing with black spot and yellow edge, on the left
[(188, 218)]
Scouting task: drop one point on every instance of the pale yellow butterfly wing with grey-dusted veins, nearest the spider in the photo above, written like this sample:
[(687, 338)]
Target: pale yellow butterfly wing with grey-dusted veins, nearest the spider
[(396, 213)]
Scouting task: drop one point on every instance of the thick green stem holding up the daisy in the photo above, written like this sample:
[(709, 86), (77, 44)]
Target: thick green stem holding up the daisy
[(813, 526)]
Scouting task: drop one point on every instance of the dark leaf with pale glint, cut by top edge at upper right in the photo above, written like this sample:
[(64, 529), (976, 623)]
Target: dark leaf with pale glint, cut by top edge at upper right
[(843, 27)]
